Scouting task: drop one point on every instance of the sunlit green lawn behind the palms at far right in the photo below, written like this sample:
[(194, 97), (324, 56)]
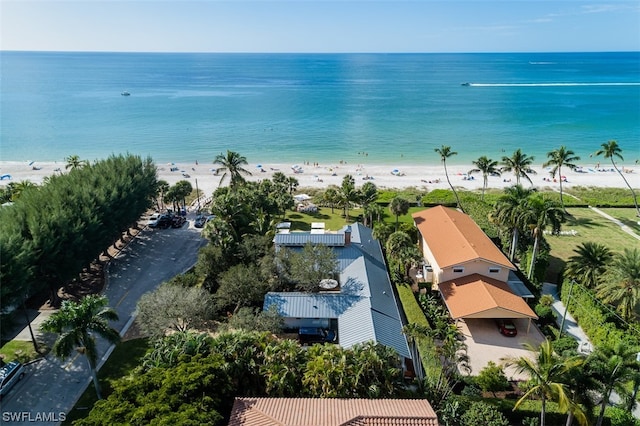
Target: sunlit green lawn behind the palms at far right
[(590, 226)]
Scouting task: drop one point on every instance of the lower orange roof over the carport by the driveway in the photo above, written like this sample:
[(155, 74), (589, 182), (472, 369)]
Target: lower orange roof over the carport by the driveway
[(482, 297)]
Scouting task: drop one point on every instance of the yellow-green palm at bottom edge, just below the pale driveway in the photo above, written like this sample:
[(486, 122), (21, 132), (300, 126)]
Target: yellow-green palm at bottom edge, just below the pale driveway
[(547, 376)]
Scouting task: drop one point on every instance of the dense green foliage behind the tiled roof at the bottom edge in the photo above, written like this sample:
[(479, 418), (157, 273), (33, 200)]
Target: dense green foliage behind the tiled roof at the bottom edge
[(192, 379)]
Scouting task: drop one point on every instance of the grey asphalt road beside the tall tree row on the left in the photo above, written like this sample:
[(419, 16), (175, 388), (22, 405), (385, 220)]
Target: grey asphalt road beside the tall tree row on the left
[(51, 387)]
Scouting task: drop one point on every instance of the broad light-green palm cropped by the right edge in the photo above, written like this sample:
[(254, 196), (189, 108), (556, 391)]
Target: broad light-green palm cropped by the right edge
[(622, 285)]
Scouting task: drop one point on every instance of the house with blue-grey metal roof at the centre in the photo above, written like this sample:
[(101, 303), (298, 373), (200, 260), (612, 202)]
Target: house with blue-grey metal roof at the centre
[(364, 308)]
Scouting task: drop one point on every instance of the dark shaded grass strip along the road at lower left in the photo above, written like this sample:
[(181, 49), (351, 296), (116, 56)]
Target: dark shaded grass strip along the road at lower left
[(124, 358)]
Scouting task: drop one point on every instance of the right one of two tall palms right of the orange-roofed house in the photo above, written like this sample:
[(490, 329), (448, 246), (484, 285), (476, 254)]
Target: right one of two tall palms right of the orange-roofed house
[(539, 213)]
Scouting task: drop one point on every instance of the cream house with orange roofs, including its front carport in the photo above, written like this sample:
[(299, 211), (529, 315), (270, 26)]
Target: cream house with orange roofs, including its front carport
[(475, 279)]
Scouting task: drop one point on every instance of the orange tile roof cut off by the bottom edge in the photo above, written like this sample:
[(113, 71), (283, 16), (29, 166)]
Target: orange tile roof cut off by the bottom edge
[(331, 412)]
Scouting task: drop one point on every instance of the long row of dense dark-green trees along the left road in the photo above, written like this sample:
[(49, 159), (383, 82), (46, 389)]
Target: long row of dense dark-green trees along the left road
[(53, 231)]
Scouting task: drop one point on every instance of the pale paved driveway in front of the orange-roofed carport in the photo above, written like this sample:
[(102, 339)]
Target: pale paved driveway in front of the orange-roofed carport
[(485, 343)]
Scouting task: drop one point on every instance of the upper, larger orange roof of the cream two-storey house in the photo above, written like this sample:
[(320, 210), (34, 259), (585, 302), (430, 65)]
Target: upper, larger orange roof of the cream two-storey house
[(454, 238)]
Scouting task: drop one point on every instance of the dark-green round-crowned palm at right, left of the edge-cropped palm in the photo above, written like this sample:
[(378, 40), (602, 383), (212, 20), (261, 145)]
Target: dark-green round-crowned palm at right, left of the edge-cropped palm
[(589, 263)]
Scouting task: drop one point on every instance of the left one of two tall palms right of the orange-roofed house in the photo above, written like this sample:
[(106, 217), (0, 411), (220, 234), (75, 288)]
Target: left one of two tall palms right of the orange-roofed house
[(508, 212)]
